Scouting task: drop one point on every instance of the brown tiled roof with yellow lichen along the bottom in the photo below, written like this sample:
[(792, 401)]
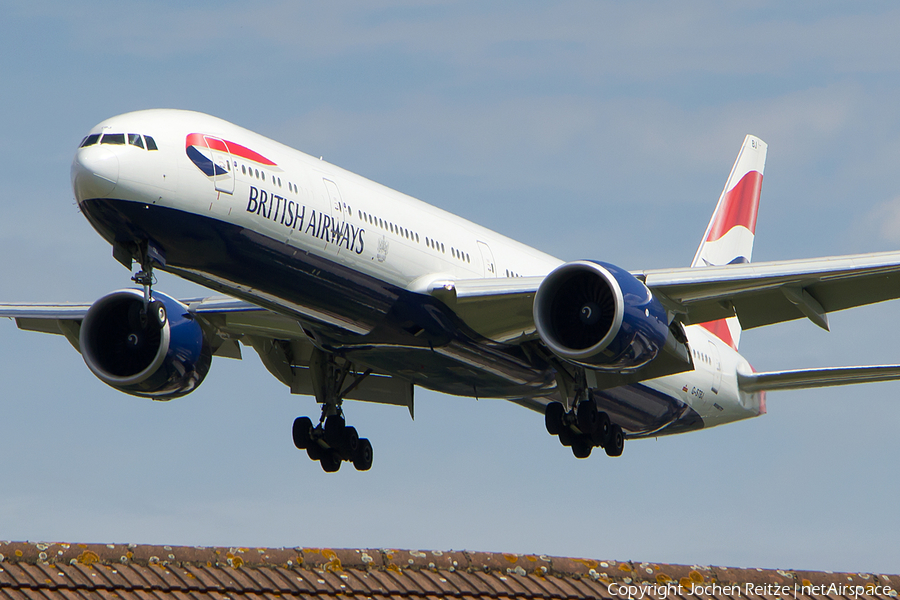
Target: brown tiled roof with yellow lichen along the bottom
[(142, 572)]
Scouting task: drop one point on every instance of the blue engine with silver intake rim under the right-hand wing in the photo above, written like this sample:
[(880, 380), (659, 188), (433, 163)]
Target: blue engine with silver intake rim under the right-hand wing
[(598, 315)]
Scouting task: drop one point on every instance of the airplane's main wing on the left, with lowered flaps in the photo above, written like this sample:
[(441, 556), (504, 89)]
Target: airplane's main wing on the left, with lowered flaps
[(280, 341)]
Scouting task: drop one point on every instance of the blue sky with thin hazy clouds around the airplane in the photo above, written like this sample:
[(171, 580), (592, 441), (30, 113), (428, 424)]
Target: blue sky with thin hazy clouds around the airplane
[(600, 130)]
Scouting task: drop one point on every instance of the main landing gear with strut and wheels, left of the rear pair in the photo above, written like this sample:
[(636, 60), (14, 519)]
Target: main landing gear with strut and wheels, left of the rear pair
[(332, 441)]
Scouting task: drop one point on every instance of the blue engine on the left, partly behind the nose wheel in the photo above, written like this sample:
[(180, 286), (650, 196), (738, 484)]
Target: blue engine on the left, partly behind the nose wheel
[(141, 358)]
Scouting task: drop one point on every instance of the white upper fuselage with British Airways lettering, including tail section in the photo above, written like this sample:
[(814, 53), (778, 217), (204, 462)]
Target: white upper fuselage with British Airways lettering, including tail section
[(315, 208)]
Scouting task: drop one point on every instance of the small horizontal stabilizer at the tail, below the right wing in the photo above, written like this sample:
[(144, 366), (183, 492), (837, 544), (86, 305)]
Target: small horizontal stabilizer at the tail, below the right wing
[(812, 378)]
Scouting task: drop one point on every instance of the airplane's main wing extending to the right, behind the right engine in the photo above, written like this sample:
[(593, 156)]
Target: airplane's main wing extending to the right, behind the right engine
[(758, 294)]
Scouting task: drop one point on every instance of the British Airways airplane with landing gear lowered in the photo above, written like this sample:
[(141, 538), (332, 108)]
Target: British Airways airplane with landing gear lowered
[(349, 290)]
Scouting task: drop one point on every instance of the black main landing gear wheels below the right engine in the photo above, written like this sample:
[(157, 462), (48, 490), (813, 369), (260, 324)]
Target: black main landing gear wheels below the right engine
[(584, 429)]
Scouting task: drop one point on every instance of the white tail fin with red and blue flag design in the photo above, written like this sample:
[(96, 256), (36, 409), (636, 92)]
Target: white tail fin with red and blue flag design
[(729, 235)]
